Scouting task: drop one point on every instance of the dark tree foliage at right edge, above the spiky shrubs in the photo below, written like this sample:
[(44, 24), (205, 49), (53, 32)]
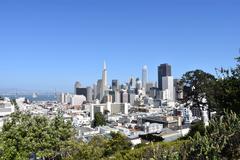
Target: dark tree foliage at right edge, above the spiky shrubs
[(220, 93)]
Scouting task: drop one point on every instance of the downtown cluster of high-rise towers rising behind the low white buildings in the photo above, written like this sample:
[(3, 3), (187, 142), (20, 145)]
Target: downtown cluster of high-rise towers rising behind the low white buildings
[(164, 91)]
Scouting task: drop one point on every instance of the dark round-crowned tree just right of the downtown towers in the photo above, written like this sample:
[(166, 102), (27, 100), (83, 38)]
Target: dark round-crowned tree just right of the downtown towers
[(198, 89)]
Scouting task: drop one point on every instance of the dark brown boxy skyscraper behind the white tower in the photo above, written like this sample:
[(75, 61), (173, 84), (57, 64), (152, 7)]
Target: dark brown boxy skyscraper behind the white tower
[(164, 70)]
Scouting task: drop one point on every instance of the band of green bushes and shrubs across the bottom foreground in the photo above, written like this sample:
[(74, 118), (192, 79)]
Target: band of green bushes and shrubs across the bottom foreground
[(25, 135)]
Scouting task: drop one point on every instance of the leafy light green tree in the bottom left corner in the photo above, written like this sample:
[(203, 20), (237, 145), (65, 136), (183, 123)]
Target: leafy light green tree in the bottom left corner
[(23, 134)]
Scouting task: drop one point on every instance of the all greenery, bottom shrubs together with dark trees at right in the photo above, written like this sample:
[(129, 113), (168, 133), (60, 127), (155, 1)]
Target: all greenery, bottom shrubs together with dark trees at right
[(23, 134)]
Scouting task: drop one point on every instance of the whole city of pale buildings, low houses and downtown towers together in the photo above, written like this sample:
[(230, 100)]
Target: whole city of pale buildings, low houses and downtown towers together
[(136, 108)]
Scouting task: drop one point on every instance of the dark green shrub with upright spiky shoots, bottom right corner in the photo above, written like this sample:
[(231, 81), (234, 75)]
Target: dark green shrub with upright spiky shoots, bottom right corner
[(220, 140)]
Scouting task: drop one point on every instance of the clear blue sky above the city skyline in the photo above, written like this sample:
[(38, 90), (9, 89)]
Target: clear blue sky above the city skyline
[(50, 44)]
